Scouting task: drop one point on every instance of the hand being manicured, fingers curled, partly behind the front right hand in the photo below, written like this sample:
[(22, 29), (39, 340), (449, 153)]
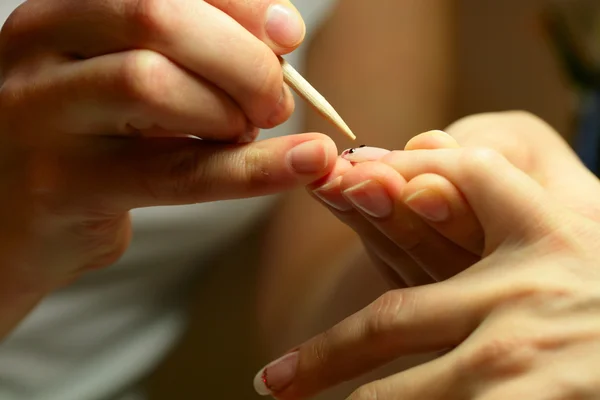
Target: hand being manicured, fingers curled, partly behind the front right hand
[(420, 229)]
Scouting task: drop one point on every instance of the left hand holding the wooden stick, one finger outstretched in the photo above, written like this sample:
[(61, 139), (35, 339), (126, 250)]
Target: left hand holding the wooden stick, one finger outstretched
[(86, 88)]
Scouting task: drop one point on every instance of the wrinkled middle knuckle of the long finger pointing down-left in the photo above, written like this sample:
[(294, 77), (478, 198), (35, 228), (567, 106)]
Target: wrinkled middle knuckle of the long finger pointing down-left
[(388, 311)]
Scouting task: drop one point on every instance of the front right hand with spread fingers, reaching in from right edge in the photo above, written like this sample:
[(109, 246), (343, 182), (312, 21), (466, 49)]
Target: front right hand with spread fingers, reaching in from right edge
[(520, 324)]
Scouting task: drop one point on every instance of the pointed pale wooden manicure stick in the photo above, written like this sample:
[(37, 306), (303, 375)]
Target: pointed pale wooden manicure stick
[(314, 98)]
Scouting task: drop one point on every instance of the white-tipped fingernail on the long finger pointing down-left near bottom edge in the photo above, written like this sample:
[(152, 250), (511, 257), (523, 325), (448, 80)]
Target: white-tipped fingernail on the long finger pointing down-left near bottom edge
[(276, 376)]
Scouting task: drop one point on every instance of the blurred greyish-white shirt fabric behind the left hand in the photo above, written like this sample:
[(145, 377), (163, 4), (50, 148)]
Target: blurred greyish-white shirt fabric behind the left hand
[(98, 337)]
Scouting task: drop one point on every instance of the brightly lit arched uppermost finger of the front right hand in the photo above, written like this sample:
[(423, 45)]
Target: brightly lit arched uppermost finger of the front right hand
[(507, 202)]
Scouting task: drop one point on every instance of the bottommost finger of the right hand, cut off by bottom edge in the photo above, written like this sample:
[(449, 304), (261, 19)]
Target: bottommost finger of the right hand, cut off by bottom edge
[(461, 376)]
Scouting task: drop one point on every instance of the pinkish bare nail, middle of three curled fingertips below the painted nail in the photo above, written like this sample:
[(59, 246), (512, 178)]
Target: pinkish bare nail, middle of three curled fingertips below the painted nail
[(371, 198)]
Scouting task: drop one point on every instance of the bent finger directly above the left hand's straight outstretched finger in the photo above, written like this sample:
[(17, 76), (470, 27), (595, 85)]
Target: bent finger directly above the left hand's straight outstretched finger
[(123, 93)]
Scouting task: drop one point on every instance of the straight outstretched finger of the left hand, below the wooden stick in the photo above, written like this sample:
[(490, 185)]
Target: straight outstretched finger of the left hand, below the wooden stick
[(140, 172)]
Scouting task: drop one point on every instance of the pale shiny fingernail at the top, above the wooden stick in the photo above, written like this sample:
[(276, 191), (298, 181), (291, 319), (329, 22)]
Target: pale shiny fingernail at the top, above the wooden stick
[(285, 26)]
